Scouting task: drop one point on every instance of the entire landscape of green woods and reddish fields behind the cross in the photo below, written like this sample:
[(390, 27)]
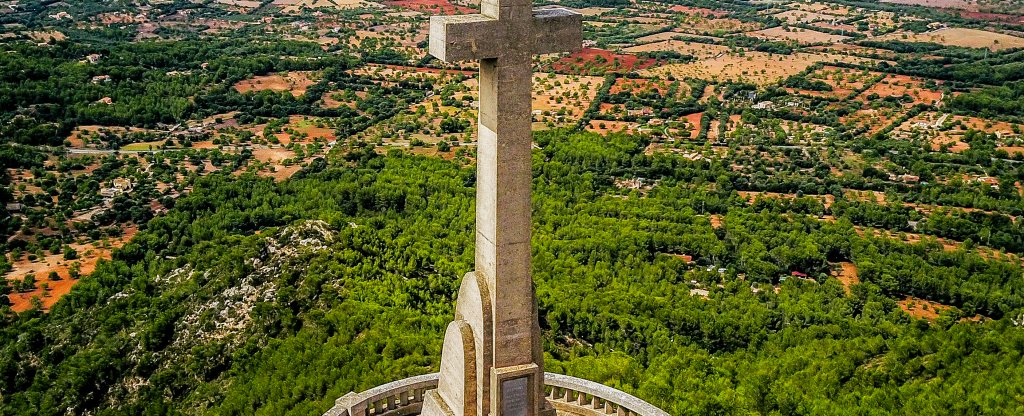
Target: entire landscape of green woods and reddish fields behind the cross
[(303, 186)]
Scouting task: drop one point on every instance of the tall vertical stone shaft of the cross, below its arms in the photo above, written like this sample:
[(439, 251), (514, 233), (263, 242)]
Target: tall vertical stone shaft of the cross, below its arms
[(503, 198)]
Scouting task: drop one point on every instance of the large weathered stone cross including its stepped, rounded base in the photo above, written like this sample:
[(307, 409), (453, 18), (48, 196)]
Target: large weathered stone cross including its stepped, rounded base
[(492, 363)]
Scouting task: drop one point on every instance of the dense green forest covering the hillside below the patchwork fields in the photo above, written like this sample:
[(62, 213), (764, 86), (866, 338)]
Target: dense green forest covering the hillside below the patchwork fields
[(344, 278)]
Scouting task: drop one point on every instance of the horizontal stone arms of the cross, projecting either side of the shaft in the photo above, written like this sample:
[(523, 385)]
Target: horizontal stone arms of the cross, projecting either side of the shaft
[(475, 37)]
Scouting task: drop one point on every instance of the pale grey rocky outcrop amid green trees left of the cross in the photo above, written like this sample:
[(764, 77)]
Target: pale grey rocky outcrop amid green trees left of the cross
[(218, 318)]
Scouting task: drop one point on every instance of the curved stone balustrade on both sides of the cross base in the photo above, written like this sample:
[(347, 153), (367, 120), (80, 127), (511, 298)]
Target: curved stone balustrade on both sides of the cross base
[(568, 395)]
